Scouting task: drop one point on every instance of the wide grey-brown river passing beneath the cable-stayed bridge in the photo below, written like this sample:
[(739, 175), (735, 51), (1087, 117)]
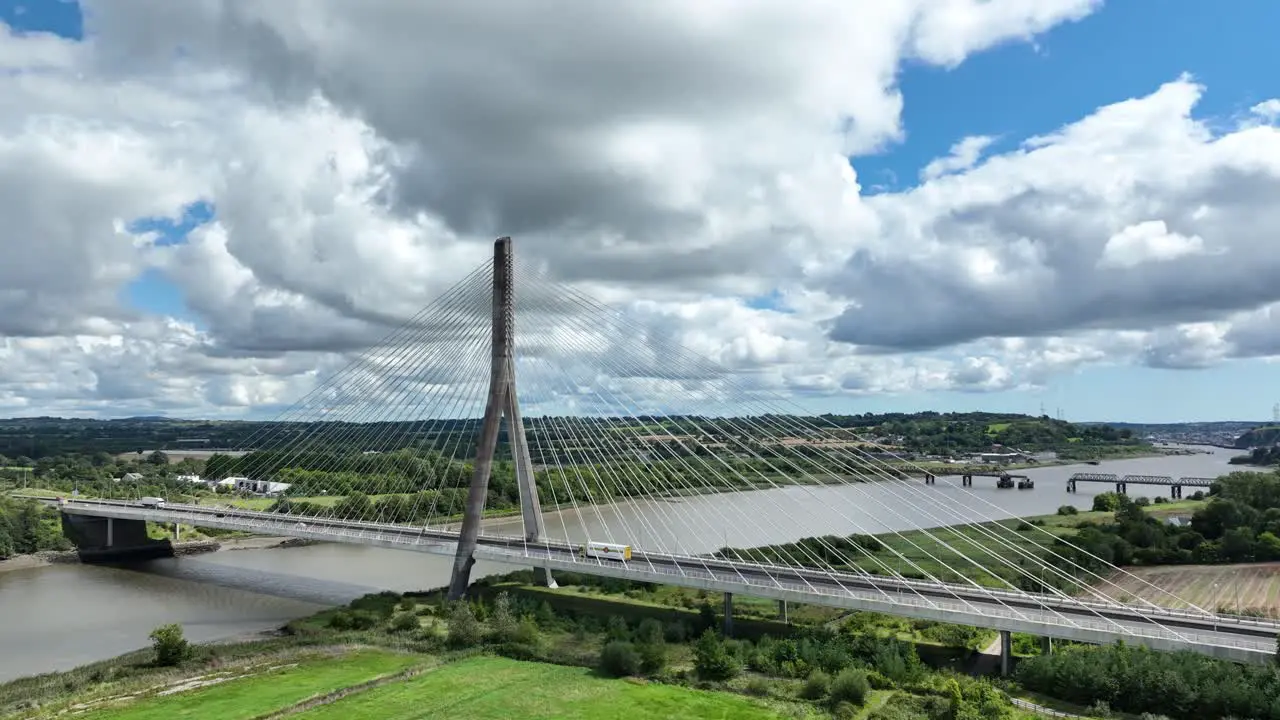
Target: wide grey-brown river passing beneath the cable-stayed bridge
[(58, 617)]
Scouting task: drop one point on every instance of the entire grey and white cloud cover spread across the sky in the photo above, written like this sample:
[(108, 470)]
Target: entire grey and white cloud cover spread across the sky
[(673, 160)]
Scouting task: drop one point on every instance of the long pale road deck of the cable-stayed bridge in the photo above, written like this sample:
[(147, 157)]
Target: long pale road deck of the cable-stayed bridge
[(1226, 637)]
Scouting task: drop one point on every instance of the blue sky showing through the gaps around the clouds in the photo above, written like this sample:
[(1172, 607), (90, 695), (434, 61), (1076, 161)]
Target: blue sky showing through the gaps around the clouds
[(1128, 49)]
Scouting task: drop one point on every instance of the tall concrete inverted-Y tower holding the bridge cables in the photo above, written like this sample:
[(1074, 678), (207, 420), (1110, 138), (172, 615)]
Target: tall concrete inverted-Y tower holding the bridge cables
[(502, 405)]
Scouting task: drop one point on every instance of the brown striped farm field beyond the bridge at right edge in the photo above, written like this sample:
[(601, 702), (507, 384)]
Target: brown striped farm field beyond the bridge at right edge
[(1250, 590)]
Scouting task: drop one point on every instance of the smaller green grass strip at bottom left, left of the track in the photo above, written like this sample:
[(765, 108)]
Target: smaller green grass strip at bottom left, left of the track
[(264, 692)]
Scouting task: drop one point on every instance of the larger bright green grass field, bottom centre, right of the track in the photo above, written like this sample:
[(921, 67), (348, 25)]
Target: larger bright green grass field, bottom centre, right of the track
[(496, 689)]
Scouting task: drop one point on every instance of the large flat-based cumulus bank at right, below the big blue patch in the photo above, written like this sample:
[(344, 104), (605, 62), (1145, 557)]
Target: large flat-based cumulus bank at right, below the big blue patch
[(1133, 218)]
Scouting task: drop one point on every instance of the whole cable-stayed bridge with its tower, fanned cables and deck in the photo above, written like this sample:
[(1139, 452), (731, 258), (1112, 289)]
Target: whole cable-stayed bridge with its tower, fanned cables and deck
[(615, 427)]
